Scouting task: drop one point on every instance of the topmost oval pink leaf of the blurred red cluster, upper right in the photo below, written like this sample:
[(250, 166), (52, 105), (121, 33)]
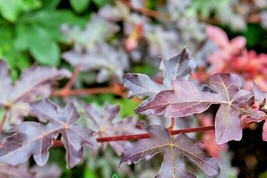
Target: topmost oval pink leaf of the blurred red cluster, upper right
[(217, 35)]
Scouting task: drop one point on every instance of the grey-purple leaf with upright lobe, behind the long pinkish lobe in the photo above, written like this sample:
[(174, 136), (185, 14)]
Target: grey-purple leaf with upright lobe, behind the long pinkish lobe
[(178, 67)]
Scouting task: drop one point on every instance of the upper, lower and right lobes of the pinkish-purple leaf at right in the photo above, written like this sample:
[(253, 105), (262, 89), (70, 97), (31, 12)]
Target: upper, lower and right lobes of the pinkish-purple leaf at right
[(227, 120)]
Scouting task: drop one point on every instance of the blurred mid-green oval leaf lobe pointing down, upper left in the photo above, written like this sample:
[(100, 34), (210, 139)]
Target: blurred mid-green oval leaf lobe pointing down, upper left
[(43, 48)]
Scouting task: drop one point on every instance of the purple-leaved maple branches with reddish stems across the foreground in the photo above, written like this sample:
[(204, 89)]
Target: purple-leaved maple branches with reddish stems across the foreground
[(175, 95)]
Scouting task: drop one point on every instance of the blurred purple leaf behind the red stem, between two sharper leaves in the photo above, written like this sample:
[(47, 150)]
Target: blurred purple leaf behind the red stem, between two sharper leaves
[(107, 123)]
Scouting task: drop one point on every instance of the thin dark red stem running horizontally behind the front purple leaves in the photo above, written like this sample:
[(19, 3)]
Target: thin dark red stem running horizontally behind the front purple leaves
[(58, 143)]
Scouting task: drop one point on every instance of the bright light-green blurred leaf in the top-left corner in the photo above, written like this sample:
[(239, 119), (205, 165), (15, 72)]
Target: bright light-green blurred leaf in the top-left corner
[(13, 8)]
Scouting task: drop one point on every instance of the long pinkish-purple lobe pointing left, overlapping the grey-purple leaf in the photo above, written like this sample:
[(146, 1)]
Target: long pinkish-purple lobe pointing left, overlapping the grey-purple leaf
[(185, 99)]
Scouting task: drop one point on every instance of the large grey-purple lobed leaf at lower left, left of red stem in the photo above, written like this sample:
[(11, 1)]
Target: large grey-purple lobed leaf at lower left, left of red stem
[(33, 138)]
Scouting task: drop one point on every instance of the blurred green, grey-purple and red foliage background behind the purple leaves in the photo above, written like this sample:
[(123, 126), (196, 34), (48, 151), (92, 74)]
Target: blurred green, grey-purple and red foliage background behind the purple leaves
[(109, 38)]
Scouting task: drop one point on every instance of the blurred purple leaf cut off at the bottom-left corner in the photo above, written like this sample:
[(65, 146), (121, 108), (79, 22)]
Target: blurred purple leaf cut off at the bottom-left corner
[(8, 171)]
